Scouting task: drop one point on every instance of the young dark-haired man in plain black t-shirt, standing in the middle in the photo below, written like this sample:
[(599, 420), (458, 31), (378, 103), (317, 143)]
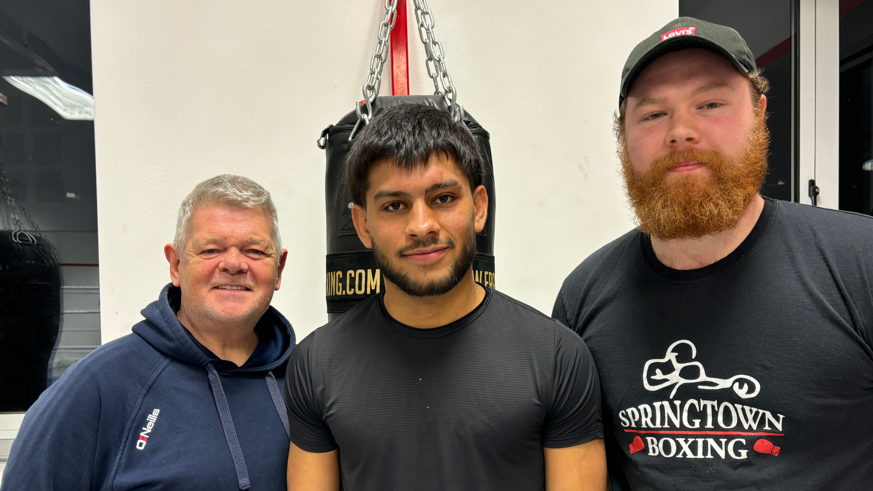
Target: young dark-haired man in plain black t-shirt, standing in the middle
[(439, 383)]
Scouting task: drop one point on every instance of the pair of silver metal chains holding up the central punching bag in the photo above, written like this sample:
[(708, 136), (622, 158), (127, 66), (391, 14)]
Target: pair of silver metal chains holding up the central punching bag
[(436, 64)]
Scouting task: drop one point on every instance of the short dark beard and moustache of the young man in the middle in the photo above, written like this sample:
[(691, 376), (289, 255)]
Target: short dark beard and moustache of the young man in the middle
[(429, 287)]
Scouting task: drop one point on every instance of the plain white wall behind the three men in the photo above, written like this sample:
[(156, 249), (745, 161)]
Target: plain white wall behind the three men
[(187, 90)]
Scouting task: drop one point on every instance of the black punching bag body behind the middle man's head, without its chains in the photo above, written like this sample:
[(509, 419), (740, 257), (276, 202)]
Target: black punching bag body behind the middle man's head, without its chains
[(352, 274)]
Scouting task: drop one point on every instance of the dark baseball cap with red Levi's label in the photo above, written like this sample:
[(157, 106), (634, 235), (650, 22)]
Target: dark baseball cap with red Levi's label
[(685, 33)]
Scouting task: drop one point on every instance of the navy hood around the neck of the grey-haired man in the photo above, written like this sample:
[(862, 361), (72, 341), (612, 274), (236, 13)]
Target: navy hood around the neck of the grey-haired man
[(162, 330)]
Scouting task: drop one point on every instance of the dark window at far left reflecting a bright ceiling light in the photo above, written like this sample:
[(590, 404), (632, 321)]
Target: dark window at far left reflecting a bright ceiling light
[(48, 181)]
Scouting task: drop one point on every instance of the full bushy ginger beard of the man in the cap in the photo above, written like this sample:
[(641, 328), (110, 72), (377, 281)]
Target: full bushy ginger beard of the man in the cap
[(691, 206)]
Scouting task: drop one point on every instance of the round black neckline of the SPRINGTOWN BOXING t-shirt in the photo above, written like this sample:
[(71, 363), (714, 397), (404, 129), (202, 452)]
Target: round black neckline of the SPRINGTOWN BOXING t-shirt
[(759, 231)]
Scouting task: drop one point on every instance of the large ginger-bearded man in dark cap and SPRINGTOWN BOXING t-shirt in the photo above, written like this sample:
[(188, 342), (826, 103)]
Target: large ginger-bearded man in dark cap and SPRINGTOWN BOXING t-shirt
[(732, 333)]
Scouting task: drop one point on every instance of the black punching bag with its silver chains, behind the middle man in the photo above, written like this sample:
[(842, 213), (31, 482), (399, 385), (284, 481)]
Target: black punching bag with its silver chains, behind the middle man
[(352, 273)]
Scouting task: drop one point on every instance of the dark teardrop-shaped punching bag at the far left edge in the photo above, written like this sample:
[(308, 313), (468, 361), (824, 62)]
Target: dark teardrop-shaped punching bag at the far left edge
[(30, 303)]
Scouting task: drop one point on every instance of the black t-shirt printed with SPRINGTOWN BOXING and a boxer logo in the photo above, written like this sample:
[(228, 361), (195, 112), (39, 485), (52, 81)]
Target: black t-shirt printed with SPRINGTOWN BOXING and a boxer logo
[(755, 372)]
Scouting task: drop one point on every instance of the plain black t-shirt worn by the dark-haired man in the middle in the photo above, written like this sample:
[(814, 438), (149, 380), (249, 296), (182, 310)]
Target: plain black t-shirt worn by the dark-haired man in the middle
[(469, 405)]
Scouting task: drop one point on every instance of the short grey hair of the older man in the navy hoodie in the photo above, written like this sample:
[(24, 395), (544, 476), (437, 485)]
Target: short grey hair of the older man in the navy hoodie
[(229, 191)]
